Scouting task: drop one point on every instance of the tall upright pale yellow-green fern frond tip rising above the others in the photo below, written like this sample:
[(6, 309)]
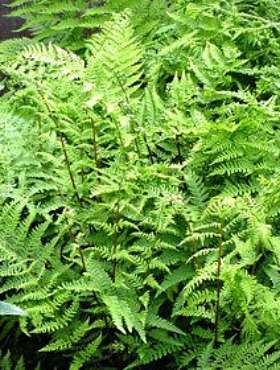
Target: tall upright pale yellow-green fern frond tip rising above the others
[(114, 61)]
